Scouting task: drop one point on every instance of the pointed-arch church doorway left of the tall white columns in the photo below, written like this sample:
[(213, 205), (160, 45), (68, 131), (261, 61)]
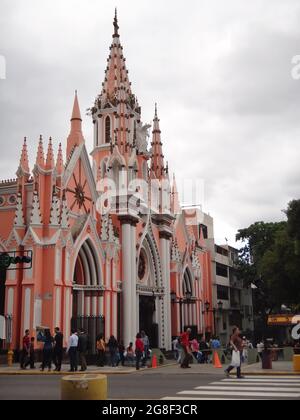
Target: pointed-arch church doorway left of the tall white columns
[(88, 294)]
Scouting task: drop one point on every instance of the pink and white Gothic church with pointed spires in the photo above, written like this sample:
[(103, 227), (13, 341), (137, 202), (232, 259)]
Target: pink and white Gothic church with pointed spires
[(112, 249)]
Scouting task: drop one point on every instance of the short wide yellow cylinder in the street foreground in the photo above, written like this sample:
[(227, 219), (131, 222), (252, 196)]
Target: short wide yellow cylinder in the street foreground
[(84, 387)]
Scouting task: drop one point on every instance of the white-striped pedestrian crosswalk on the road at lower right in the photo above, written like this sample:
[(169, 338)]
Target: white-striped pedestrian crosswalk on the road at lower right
[(249, 388)]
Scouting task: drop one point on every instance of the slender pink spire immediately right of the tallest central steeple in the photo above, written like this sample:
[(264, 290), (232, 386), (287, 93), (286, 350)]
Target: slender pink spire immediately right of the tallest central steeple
[(157, 159)]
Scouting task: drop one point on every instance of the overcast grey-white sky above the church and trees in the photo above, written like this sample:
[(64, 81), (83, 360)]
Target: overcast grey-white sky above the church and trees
[(219, 70)]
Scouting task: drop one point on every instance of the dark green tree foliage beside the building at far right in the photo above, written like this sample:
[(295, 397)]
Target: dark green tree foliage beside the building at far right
[(270, 259)]
